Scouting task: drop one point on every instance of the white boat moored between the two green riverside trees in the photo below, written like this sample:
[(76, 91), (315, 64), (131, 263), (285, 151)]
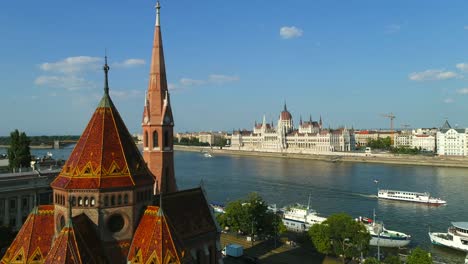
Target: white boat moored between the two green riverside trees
[(300, 218)]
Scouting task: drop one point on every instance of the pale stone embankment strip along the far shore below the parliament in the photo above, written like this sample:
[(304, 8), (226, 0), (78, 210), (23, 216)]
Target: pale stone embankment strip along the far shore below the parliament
[(436, 161)]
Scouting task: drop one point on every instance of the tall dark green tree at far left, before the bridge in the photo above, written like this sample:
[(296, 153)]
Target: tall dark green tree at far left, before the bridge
[(19, 154)]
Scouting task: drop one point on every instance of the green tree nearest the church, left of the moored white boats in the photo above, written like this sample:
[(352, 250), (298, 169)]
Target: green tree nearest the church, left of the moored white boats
[(249, 214)]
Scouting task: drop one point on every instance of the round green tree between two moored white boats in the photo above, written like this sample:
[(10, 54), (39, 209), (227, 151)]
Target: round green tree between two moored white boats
[(340, 235)]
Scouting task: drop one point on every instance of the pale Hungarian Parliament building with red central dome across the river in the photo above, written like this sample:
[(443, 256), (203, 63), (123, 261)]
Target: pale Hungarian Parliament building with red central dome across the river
[(308, 137)]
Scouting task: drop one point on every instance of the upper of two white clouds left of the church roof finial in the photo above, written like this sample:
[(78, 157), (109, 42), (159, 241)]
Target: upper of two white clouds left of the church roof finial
[(72, 65)]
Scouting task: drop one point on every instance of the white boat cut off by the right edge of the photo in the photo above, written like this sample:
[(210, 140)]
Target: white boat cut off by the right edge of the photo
[(456, 237)]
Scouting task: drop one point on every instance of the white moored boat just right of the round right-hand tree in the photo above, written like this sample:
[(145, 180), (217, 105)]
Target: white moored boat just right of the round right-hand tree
[(380, 236)]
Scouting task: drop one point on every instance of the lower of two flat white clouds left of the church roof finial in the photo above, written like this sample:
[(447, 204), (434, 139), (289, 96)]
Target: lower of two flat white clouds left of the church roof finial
[(68, 82)]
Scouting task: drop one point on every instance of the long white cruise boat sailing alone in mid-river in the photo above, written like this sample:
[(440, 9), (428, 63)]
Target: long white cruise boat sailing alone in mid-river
[(416, 197)]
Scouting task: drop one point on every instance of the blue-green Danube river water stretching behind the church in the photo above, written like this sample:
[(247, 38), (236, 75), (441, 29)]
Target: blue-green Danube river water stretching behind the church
[(334, 187)]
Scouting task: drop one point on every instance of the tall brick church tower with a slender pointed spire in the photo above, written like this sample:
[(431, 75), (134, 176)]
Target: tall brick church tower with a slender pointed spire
[(158, 123)]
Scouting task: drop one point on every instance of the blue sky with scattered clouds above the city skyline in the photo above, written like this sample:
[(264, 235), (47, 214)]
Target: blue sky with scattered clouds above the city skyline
[(230, 62)]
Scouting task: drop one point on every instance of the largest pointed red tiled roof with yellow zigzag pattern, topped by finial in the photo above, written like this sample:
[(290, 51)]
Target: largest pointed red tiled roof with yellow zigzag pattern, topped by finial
[(105, 156)]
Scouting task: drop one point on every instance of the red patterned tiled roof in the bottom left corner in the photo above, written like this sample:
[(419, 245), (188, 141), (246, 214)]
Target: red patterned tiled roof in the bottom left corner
[(34, 238)]
